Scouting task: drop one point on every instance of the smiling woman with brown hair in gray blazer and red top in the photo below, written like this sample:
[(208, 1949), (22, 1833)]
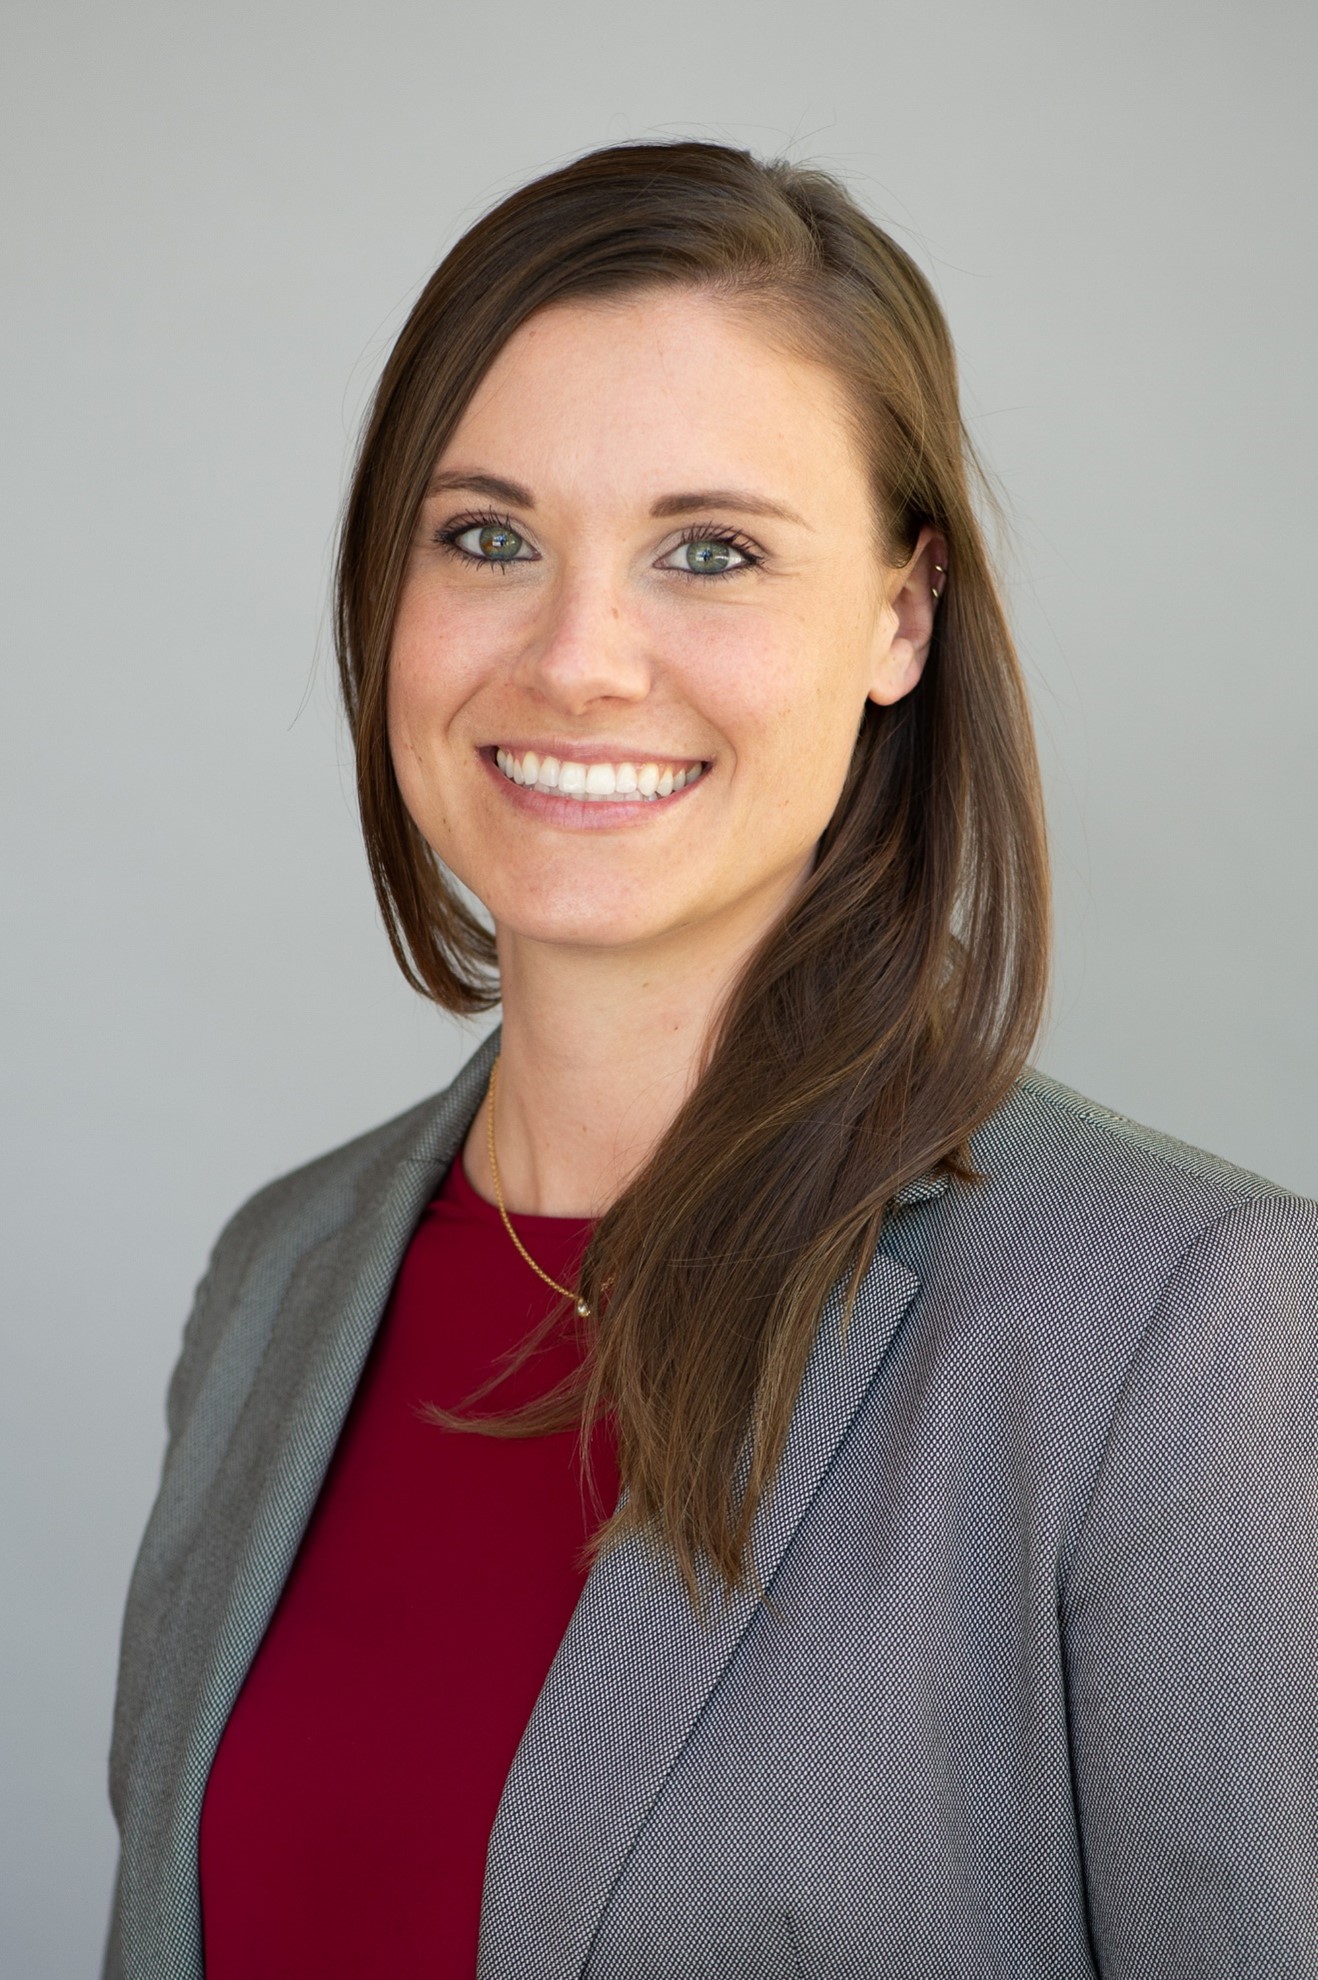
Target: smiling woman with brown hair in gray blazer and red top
[(937, 1589)]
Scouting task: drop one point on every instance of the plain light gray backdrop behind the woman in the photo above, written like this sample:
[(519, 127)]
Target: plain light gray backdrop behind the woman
[(215, 223)]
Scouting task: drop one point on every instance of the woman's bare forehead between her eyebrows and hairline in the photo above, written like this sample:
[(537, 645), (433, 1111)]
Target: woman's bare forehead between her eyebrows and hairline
[(660, 389)]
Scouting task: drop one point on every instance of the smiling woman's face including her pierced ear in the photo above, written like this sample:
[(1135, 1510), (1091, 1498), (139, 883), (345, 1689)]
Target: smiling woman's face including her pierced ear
[(640, 623)]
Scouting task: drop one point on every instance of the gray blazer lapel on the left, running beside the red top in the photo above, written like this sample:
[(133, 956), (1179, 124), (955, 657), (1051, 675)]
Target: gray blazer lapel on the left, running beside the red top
[(258, 1504)]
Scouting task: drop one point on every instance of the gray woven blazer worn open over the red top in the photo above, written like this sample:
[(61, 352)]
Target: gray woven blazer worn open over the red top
[(1034, 1694)]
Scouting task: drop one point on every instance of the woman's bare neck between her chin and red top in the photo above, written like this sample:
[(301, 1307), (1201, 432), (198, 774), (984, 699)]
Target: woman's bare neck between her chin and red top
[(599, 1052)]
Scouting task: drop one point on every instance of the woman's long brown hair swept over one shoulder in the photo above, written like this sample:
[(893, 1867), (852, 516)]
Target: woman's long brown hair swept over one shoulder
[(897, 1001)]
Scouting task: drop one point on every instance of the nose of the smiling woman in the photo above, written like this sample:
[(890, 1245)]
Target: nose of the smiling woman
[(585, 646)]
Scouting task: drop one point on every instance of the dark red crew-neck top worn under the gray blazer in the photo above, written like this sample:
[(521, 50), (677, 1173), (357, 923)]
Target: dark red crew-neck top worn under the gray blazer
[(355, 1787)]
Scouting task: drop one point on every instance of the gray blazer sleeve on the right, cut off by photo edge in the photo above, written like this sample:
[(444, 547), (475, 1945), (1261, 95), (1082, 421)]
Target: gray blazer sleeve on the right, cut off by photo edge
[(1190, 1623)]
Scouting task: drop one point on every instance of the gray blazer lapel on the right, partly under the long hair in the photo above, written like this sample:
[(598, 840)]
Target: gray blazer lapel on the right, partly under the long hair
[(636, 1668)]
